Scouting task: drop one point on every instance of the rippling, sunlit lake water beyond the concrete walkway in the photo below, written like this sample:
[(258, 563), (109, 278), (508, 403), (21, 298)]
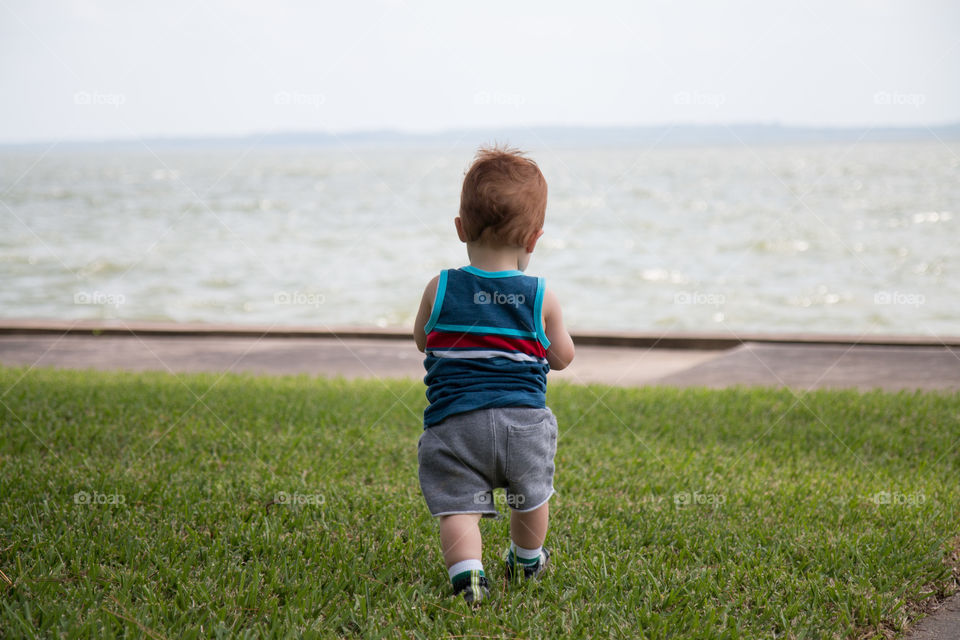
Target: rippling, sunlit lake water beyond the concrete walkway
[(822, 238)]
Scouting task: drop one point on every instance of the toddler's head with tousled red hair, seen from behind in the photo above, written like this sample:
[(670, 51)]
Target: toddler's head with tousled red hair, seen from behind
[(504, 199)]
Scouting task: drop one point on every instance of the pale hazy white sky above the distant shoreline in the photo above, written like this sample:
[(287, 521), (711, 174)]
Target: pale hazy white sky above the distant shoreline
[(89, 70)]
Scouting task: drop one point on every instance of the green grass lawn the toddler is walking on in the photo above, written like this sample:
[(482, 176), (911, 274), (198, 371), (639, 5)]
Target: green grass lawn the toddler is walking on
[(782, 536)]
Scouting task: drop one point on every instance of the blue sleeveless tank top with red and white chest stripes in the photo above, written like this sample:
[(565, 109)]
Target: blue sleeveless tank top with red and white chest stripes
[(486, 345)]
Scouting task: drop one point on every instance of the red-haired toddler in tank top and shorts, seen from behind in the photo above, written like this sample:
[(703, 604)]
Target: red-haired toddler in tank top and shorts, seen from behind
[(490, 334)]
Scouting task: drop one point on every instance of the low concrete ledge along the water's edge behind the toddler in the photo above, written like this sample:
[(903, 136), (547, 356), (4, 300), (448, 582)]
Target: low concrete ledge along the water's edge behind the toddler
[(672, 340)]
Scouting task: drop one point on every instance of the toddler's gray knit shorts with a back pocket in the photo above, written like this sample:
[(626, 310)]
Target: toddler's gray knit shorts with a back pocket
[(466, 456)]
